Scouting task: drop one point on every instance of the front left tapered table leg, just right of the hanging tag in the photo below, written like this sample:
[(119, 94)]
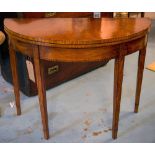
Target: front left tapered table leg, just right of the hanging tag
[(39, 74)]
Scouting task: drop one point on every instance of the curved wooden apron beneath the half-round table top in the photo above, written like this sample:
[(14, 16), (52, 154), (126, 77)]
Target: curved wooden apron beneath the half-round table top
[(80, 54)]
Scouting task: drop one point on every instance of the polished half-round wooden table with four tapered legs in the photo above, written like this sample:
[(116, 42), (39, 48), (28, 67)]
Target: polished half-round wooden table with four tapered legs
[(77, 40)]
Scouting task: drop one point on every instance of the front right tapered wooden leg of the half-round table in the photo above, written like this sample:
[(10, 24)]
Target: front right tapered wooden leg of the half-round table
[(118, 78)]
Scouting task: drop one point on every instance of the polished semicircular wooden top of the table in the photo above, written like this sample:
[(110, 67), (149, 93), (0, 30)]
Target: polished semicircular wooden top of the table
[(76, 30)]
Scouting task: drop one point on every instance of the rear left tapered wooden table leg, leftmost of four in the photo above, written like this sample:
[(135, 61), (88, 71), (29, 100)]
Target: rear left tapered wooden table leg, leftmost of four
[(13, 63)]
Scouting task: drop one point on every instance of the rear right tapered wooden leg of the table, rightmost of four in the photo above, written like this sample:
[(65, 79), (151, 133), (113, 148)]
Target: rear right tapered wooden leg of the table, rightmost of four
[(141, 62)]
